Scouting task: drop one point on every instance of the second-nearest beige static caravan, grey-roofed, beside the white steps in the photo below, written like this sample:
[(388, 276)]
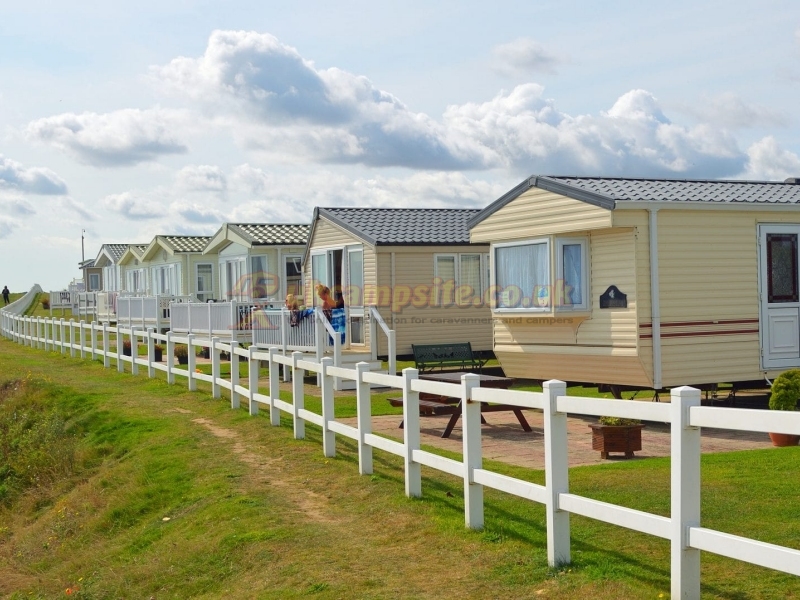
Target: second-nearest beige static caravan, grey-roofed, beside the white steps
[(416, 265)]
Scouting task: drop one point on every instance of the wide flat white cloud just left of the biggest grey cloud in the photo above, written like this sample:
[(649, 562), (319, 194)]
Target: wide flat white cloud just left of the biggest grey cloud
[(119, 138)]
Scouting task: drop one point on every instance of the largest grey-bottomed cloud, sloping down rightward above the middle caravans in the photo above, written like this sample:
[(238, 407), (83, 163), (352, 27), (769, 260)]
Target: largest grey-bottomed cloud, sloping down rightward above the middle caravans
[(338, 116)]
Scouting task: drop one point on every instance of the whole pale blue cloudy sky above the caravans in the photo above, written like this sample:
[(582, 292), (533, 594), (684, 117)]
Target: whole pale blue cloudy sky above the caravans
[(172, 117)]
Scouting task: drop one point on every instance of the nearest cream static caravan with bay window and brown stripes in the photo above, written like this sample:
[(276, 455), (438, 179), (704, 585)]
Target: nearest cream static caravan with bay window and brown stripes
[(649, 283)]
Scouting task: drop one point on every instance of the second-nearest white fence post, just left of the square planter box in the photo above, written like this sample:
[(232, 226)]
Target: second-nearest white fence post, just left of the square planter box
[(556, 474)]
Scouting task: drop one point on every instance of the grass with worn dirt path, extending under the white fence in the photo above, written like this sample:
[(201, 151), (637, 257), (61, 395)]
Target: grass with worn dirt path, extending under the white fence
[(140, 489)]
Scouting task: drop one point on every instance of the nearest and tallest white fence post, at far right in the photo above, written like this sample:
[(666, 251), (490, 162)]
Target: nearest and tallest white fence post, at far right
[(685, 487)]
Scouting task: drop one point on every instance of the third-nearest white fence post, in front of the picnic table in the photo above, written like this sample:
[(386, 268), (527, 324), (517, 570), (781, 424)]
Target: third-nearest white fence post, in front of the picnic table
[(473, 456)]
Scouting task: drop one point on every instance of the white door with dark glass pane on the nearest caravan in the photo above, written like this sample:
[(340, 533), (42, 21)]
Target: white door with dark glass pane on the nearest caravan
[(780, 298)]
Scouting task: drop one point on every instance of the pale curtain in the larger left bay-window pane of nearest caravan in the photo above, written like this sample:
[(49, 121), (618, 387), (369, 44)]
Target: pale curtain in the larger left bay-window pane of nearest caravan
[(522, 276)]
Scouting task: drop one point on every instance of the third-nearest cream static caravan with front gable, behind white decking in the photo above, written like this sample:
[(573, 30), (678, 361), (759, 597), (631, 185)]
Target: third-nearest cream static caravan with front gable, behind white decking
[(259, 260)]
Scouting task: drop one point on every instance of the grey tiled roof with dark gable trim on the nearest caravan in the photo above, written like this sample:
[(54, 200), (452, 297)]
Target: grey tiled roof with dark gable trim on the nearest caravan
[(607, 191)]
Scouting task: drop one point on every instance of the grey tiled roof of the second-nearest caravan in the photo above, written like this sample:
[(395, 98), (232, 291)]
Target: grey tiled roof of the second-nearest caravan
[(404, 226)]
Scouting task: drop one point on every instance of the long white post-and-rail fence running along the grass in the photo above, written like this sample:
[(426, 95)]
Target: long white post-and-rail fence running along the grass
[(682, 528)]
